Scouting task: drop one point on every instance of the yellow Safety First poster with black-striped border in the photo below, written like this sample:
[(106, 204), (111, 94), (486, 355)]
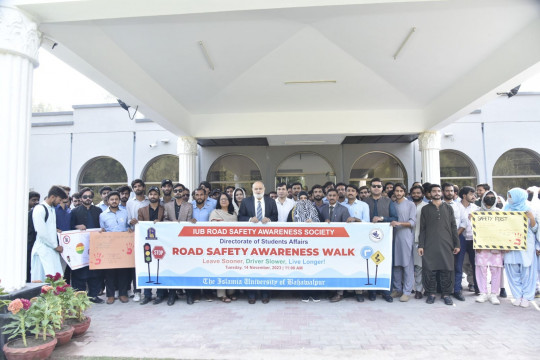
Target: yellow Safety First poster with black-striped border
[(501, 230)]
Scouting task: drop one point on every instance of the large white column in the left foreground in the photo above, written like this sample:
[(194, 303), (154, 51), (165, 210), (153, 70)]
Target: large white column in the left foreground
[(19, 45)]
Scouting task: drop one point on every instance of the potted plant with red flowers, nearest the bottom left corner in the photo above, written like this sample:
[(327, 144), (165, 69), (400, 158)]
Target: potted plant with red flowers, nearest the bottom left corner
[(27, 315)]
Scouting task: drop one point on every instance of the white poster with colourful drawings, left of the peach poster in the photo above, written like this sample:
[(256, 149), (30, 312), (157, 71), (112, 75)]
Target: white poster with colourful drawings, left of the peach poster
[(75, 244)]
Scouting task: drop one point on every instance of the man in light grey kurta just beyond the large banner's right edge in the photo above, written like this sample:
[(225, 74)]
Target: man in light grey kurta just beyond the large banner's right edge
[(403, 244)]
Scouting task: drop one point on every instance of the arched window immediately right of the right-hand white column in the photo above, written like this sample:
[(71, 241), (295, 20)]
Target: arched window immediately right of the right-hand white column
[(457, 169)]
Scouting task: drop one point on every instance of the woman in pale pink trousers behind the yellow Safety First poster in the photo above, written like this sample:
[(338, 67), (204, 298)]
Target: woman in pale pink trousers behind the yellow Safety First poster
[(491, 258)]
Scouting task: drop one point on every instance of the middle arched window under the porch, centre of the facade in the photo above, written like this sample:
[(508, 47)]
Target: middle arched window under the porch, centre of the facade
[(306, 168)]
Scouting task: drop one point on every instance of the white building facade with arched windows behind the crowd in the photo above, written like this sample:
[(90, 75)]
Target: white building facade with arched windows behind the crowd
[(97, 145)]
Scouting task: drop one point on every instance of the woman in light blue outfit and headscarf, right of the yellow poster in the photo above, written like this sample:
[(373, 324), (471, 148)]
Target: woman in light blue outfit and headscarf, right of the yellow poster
[(520, 265)]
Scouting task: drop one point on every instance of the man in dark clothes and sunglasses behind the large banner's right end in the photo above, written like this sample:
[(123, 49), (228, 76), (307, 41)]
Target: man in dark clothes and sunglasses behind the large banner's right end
[(381, 209)]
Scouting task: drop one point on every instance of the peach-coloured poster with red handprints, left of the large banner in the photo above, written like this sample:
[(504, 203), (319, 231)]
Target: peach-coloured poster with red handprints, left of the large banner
[(111, 250)]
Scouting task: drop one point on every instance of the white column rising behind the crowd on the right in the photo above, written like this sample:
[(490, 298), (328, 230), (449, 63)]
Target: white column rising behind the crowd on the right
[(430, 145)]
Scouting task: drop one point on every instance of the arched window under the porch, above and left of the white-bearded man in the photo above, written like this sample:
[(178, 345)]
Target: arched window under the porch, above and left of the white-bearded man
[(233, 170)]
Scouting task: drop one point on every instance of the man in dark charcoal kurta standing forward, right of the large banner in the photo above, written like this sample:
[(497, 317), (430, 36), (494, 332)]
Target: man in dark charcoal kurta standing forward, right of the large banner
[(437, 243)]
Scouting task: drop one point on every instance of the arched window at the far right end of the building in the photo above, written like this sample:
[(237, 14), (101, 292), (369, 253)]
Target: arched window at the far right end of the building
[(516, 168)]
